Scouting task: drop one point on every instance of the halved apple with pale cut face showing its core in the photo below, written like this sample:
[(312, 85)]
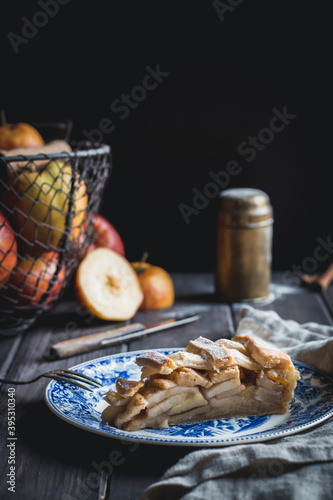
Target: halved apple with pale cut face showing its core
[(107, 285)]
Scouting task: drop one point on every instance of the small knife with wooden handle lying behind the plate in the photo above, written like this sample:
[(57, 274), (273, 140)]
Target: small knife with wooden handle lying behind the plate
[(113, 336)]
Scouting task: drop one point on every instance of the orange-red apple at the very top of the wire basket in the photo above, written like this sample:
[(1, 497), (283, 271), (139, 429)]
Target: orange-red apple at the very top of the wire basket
[(18, 135)]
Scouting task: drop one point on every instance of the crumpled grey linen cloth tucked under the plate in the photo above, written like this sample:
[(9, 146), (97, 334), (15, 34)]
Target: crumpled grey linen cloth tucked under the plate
[(297, 467)]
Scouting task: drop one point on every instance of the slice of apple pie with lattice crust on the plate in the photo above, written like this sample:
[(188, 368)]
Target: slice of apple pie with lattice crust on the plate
[(207, 380)]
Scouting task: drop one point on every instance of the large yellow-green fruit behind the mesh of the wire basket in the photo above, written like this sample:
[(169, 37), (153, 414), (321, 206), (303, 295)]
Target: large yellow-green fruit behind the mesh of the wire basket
[(40, 202)]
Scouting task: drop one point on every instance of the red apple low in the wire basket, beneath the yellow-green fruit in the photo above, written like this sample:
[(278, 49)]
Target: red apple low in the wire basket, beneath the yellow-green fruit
[(32, 277)]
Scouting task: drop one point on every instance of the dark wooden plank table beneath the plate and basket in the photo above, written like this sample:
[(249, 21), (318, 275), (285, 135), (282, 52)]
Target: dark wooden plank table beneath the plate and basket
[(57, 461)]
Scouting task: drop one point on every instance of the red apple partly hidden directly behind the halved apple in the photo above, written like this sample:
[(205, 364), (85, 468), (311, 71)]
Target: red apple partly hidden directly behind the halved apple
[(106, 236)]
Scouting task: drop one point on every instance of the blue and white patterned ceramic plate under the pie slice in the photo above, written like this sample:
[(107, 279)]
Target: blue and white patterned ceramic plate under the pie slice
[(312, 404)]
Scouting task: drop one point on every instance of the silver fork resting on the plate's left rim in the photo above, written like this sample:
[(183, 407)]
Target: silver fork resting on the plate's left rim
[(69, 376)]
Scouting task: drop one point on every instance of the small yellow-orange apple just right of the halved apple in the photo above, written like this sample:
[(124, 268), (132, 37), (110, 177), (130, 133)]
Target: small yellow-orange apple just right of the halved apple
[(156, 284)]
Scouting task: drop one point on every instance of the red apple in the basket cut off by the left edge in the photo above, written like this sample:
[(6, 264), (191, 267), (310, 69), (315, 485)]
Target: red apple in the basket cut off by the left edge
[(8, 250)]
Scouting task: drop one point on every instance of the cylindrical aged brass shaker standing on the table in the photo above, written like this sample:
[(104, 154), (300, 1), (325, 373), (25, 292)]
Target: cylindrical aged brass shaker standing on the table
[(244, 245)]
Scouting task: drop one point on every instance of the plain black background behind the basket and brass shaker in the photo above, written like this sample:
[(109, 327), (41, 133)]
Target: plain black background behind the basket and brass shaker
[(225, 77)]
